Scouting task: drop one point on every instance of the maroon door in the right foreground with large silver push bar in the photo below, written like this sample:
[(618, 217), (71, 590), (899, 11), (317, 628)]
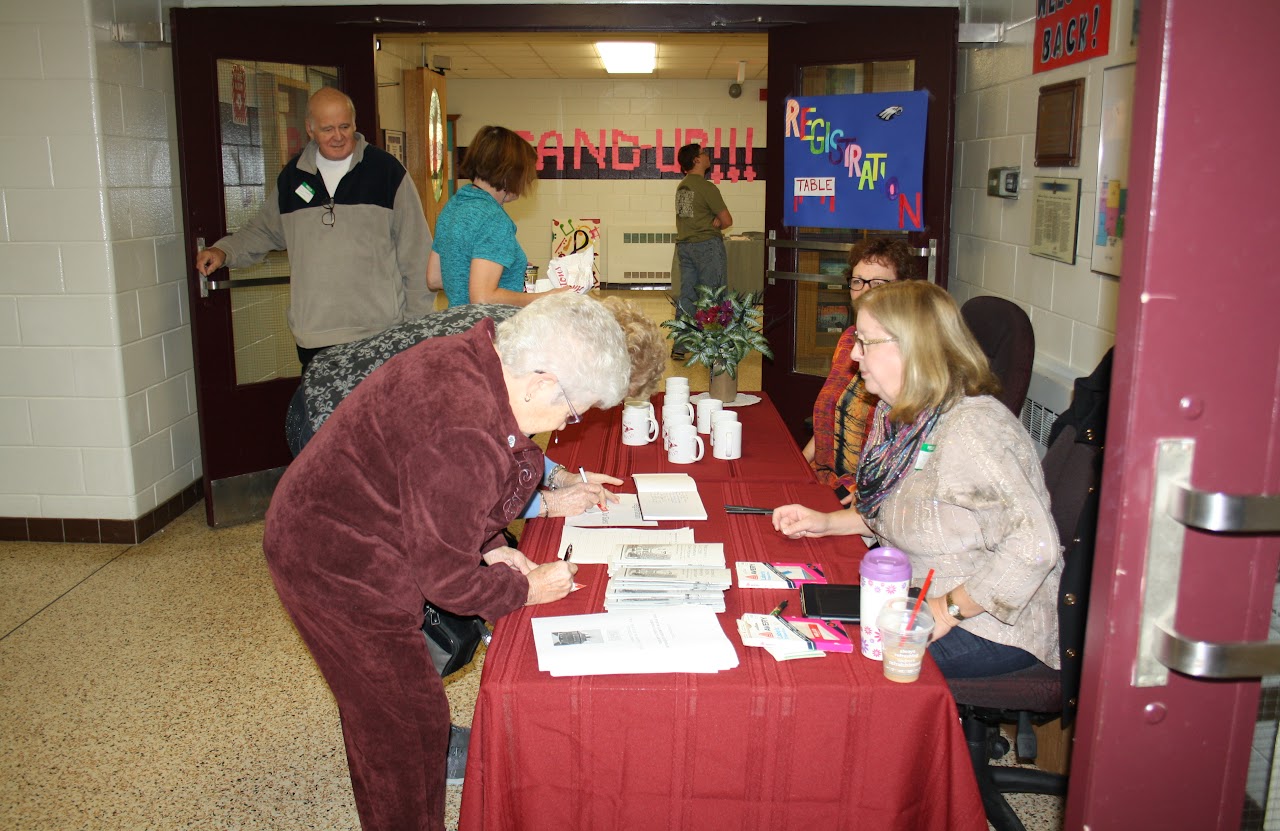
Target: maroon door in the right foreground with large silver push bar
[(1195, 401)]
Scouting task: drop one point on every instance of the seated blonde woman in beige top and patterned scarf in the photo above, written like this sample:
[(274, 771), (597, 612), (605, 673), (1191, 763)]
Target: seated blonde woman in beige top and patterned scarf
[(950, 477)]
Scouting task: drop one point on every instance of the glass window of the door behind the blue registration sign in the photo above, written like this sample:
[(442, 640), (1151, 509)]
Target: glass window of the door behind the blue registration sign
[(825, 311)]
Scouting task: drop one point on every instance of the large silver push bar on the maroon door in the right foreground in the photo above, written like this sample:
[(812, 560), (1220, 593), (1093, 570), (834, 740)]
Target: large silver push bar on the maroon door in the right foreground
[(1176, 508)]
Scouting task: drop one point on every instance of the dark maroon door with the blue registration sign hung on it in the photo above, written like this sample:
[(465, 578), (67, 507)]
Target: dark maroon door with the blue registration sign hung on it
[(874, 51)]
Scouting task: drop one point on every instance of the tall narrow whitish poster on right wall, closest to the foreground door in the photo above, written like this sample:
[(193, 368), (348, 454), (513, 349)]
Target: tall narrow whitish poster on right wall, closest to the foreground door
[(1113, 170)]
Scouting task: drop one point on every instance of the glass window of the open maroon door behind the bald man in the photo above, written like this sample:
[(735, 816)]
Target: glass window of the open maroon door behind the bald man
[(262, 116)]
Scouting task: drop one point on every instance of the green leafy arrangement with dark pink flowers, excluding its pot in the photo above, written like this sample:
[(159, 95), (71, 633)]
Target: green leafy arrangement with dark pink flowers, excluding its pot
[(724, 330)]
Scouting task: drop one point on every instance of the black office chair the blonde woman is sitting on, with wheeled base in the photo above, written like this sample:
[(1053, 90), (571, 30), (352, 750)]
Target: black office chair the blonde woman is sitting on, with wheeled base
[(1037, 696)]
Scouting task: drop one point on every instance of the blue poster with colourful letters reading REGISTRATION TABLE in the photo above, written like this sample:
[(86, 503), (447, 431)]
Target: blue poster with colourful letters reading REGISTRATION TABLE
[(856, 161)]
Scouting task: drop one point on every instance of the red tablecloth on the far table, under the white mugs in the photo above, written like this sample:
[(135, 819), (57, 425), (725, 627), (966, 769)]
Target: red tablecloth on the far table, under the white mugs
[(769, 453)]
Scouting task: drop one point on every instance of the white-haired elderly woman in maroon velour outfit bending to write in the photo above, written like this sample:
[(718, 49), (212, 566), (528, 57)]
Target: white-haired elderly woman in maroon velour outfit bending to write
[(403, 500)]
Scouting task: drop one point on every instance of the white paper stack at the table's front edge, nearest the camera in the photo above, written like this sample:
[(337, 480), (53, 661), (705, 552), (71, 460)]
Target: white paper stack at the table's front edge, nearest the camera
[(630, 643)]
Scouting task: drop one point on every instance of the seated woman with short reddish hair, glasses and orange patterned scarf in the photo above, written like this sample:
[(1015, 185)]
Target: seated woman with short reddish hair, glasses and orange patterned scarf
[(843, 407)]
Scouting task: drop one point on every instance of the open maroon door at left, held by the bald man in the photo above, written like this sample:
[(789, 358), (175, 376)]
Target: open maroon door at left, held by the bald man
[(243, 90)]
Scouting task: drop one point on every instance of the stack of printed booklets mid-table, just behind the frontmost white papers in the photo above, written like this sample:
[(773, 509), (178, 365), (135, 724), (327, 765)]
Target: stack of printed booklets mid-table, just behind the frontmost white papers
[(647, 577)]
